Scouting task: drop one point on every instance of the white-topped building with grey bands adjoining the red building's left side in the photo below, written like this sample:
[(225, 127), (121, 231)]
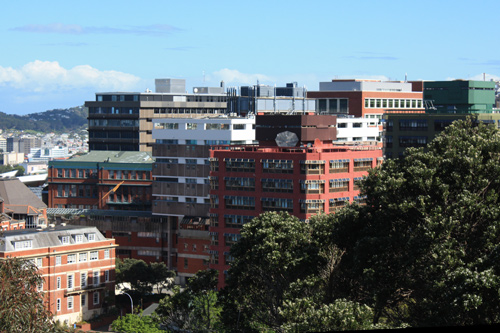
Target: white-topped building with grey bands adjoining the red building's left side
[(181, 183)]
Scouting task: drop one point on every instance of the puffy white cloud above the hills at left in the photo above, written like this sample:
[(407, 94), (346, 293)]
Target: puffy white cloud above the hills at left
[(46, 76)]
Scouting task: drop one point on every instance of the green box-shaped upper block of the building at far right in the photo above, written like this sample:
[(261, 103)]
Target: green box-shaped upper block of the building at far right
[(459, 96)]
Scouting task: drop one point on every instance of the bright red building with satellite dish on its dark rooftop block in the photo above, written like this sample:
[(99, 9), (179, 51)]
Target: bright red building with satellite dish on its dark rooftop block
[(303, 173)]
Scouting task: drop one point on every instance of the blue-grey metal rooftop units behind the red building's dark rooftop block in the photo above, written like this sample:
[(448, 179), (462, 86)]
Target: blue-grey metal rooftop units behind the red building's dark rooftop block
[(264, 99)]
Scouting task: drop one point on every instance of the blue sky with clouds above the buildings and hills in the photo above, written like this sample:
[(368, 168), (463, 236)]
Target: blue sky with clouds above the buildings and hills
[(58, 54)]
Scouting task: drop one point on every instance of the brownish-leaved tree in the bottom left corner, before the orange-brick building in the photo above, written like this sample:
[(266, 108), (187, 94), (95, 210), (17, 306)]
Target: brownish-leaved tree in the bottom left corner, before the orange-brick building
[(22, 307)]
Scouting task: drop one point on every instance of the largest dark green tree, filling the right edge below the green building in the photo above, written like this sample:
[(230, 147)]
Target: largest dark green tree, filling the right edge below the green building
[(425, 248)]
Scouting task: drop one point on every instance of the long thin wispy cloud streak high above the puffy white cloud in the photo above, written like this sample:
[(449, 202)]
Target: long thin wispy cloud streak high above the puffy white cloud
[(75, 29)]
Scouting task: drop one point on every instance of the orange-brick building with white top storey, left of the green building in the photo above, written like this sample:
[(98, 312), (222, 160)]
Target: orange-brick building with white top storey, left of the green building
[(367, 98)]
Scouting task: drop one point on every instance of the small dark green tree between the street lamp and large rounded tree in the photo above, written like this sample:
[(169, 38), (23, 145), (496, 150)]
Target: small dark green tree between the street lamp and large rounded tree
[(194, 308)]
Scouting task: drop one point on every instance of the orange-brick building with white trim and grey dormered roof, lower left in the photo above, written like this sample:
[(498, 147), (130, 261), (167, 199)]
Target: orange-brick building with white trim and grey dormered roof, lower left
[(77, 265)]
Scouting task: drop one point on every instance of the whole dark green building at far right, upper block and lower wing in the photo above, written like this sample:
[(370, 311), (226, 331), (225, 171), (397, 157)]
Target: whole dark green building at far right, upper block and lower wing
[(445, 101)]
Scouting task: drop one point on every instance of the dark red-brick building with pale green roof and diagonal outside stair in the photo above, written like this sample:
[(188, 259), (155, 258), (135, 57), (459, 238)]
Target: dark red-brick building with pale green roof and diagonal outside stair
[(110, 180)]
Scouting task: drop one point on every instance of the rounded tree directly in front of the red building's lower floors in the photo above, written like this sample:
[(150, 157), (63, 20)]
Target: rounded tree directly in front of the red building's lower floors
[(275, 250)]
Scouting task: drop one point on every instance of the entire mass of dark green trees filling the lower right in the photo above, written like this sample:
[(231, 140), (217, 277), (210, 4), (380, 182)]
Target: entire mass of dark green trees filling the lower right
[(423, 251)]
